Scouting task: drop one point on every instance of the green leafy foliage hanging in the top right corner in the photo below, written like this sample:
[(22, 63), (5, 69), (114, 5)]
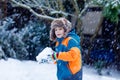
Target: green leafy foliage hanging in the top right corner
[(111, 9)]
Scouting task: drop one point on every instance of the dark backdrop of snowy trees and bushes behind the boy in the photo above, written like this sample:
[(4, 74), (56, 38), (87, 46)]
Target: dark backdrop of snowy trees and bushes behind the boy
[(25, 26)]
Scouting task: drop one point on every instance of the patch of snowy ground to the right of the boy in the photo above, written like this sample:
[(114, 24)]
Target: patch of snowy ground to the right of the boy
[(91, 74)]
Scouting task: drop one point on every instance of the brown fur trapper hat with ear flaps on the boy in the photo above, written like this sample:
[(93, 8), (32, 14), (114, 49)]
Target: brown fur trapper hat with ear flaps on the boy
[(59, 22)]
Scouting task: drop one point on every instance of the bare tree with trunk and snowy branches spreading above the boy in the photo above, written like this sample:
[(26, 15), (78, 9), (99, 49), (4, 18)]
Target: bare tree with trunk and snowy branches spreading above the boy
[(50, 9)]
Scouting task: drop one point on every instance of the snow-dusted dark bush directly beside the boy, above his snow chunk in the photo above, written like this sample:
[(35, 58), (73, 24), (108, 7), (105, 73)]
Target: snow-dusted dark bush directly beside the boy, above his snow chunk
[(35, 36)]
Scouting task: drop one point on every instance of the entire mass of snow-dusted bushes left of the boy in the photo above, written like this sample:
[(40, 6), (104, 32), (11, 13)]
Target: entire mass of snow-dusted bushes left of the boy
[(23, 43)]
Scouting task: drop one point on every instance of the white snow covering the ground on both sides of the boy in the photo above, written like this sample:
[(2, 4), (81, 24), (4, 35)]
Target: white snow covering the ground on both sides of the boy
[(31, 70)]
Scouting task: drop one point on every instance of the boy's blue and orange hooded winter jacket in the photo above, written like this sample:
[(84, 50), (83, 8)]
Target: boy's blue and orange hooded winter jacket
[(69, 60)]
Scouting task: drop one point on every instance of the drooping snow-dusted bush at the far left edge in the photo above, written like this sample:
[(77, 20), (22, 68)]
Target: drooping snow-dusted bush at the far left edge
[(10, 42)]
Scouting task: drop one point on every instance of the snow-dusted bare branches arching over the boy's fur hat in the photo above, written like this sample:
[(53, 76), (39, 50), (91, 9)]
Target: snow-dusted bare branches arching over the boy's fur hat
[(54, 7)]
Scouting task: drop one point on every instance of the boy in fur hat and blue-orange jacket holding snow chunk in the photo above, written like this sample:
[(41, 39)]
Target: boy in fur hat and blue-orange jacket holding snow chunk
[(67, 50)]
